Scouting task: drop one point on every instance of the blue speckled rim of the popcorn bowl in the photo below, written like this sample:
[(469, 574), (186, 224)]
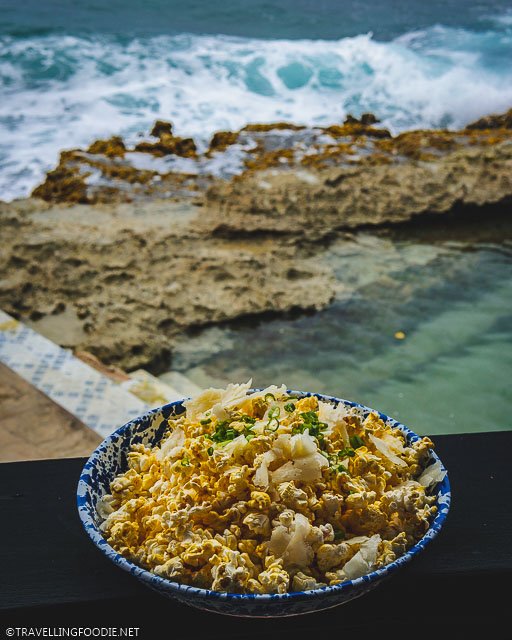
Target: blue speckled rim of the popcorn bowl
[(443, 502)]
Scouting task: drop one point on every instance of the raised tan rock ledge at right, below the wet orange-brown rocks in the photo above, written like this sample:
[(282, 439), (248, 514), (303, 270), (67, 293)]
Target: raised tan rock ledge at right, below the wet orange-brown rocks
[(316, 202)]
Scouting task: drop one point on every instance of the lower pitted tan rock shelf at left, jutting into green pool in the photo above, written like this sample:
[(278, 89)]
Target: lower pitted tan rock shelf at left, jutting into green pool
[(136, 278)]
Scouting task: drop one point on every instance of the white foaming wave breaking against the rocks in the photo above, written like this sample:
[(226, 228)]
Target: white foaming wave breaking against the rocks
[(64, 91)]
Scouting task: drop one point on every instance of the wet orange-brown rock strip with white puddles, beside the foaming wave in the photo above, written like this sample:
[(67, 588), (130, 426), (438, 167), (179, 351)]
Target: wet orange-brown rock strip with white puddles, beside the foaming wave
[(174, 167)]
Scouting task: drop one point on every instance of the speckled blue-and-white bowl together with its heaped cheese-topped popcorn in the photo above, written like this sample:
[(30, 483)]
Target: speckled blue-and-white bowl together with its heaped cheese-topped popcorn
[(265, 502)]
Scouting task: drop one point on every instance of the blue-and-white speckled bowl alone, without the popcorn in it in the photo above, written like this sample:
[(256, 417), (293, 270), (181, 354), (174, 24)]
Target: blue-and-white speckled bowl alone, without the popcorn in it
[(110, 459)]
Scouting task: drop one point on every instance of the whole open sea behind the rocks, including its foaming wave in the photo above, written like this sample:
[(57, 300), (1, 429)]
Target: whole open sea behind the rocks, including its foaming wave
[(73, 72)]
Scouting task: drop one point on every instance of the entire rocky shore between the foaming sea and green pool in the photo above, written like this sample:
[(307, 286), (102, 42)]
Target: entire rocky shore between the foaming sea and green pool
[(121, 250)]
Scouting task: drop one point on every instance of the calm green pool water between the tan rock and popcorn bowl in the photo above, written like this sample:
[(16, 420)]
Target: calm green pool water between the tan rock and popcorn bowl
[(453, 300)]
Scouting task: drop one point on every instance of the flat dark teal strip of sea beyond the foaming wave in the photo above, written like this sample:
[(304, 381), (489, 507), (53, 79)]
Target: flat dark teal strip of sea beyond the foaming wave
[(271, 19)]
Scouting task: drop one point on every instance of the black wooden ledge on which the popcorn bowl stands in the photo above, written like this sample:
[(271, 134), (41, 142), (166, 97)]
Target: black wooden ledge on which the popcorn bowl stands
[(50, 573)]
